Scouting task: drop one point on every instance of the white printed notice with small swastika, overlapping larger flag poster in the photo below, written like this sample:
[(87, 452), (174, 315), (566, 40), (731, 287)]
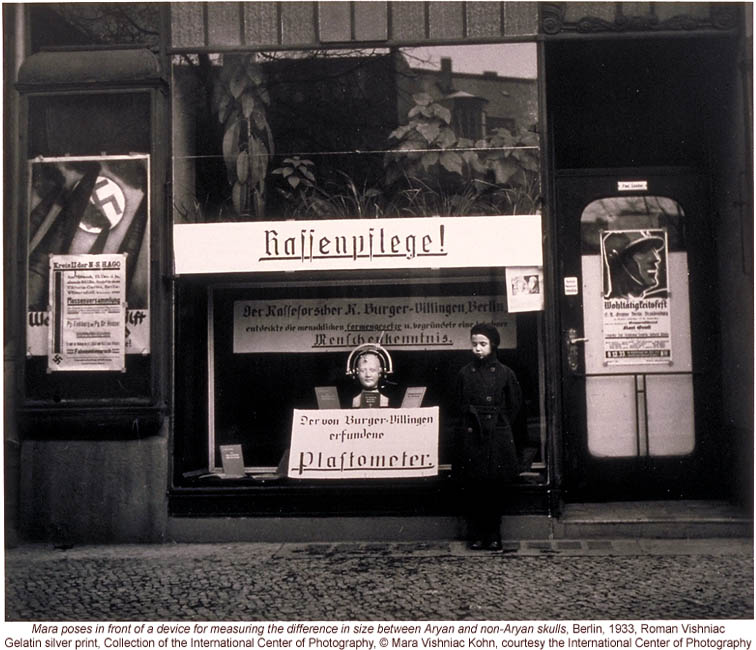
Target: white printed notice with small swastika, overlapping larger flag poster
[(88, 294)]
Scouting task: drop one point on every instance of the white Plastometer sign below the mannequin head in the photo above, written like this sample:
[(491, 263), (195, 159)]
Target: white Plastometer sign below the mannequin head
[(364, 443)]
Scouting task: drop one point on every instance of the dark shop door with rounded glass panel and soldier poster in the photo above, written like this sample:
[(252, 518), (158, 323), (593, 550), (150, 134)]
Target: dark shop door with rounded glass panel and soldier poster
[(638, 304)]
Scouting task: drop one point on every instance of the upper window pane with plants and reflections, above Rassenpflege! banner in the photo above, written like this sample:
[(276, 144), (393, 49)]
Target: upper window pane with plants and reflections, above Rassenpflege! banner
[(356, 133)]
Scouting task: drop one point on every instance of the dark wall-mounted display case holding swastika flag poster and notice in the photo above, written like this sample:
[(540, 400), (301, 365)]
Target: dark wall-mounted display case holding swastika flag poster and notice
[(90, 164)]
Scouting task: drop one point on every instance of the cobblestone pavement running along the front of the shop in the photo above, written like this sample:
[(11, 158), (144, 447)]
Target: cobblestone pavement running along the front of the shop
[(614, 579)]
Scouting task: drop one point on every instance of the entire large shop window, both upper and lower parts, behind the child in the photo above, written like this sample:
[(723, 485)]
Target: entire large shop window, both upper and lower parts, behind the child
[(331, 137)]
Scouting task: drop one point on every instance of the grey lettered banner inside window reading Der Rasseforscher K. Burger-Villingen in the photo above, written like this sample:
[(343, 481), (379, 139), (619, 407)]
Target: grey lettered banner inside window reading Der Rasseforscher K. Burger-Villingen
[(327, 325)]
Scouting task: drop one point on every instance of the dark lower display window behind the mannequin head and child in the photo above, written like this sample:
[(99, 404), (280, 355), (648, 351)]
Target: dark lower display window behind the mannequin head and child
[(255, 384)]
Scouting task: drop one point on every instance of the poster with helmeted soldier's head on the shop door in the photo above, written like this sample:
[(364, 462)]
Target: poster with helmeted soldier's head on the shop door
[(636, 300)]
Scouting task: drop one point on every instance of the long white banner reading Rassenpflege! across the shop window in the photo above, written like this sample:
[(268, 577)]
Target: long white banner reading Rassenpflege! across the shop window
[(337, 244)]
